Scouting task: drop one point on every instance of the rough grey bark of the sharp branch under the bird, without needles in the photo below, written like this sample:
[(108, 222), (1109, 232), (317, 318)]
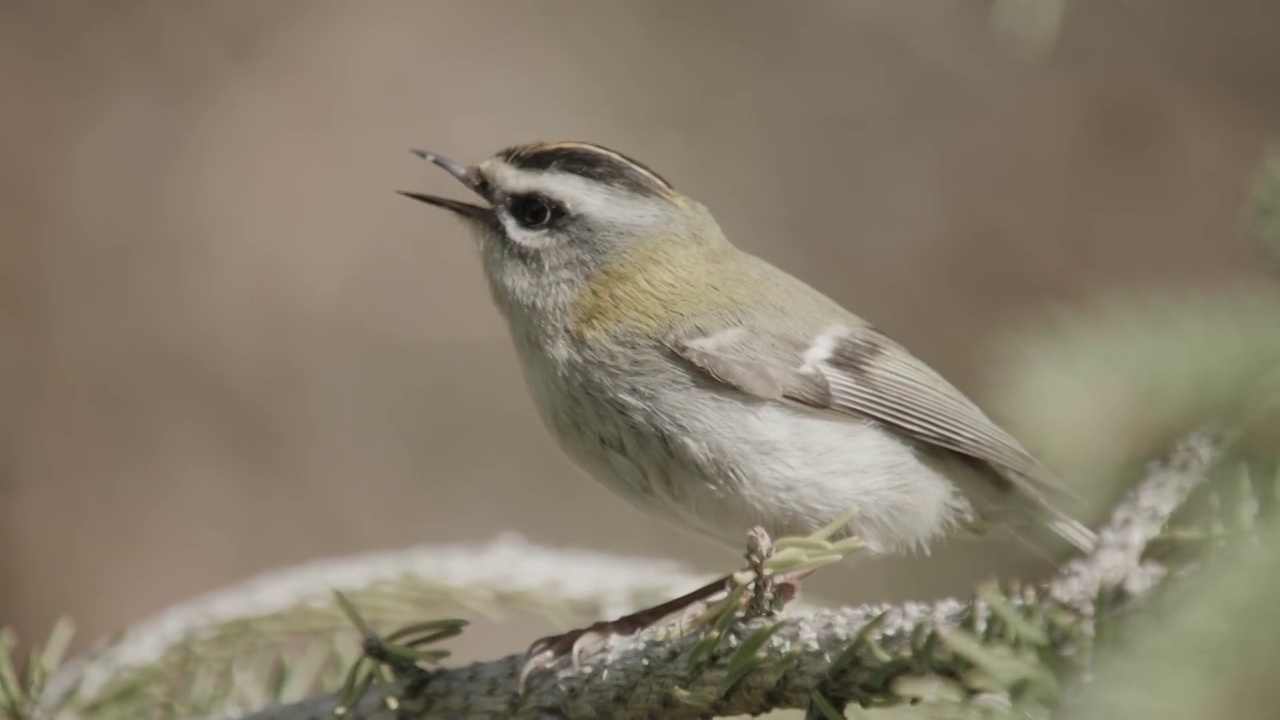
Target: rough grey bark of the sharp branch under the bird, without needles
[(875, 645)]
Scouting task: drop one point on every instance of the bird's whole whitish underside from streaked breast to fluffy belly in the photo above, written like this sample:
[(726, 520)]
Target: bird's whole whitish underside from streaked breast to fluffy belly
[(720, 463)]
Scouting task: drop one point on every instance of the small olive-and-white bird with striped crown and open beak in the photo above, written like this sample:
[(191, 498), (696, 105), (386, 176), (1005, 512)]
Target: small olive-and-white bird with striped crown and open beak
[(711, 389)]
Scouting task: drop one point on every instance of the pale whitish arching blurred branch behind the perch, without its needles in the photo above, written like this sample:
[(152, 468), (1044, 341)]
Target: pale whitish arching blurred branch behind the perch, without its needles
[(508, 573)]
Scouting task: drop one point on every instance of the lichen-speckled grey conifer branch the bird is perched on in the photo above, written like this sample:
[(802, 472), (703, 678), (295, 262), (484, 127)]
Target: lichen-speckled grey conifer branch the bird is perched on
[(874, 655)]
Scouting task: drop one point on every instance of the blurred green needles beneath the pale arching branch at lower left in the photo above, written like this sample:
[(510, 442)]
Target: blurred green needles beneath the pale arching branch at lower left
[(277, 658)]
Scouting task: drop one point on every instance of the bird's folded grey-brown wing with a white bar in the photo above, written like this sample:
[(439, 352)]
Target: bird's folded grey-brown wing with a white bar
[(860, 371)]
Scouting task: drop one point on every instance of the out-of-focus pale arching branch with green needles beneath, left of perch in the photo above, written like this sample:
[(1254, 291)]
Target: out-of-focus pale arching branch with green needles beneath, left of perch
[(282, 637)]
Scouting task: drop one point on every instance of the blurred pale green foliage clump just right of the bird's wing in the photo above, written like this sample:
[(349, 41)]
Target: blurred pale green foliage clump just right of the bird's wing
[(1100, 390)]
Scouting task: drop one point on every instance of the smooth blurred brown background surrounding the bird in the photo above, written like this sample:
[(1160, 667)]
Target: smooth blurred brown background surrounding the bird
[(227, 347)]
